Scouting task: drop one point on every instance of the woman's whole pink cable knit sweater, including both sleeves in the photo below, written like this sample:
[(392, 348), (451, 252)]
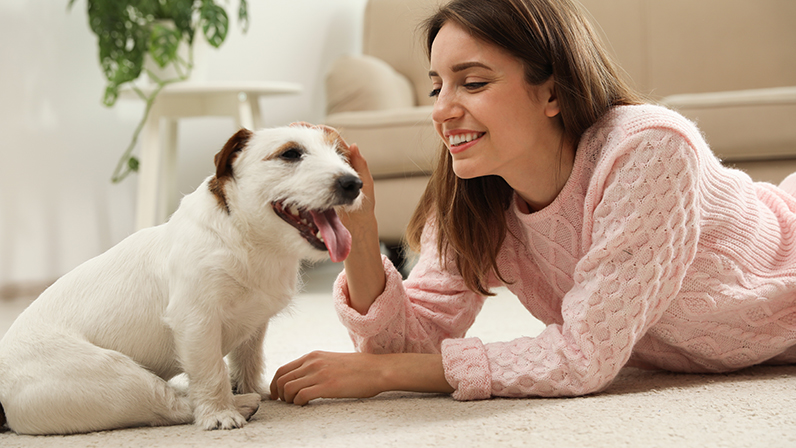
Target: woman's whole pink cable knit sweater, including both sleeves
[(653, 255)]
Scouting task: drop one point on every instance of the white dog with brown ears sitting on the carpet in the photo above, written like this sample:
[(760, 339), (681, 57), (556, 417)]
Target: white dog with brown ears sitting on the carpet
[(96, 349)]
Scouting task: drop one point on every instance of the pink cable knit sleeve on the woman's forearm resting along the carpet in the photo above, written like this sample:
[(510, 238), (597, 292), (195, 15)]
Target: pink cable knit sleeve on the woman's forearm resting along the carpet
[(640, 235)]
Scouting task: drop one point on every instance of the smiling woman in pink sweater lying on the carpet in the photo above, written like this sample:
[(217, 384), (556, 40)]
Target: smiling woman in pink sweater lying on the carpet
[(610, 220)]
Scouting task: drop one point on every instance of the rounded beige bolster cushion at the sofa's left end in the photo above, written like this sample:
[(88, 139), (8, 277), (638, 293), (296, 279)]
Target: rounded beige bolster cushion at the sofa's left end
[(366, 83)]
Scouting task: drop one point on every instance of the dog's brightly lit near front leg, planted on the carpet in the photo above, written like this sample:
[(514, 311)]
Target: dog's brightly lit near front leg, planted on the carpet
[(198, 338)]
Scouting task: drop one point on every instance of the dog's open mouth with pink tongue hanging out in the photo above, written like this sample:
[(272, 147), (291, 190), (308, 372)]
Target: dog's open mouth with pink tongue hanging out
[(321, 228)]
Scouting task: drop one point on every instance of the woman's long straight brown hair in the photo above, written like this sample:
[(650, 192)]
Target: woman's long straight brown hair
[(551, 38)]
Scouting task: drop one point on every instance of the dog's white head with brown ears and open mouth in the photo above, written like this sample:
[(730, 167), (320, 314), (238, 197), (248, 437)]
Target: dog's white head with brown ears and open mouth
[(295, 175)]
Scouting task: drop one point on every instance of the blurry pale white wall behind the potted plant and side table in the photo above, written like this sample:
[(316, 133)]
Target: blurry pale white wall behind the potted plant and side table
[(59, 144)]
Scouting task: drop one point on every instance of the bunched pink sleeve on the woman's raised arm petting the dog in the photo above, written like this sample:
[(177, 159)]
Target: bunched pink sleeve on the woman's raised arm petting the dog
[(415, 315)]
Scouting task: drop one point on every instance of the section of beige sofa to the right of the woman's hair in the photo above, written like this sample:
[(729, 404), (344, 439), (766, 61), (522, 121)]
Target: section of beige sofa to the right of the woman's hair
[(729, 65)]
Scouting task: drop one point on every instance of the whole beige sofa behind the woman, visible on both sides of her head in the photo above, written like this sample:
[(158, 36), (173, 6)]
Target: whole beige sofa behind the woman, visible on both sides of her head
[(677, 51)]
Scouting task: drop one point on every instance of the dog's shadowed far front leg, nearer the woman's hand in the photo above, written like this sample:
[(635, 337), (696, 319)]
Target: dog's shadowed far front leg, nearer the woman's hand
[(247, 364)]
